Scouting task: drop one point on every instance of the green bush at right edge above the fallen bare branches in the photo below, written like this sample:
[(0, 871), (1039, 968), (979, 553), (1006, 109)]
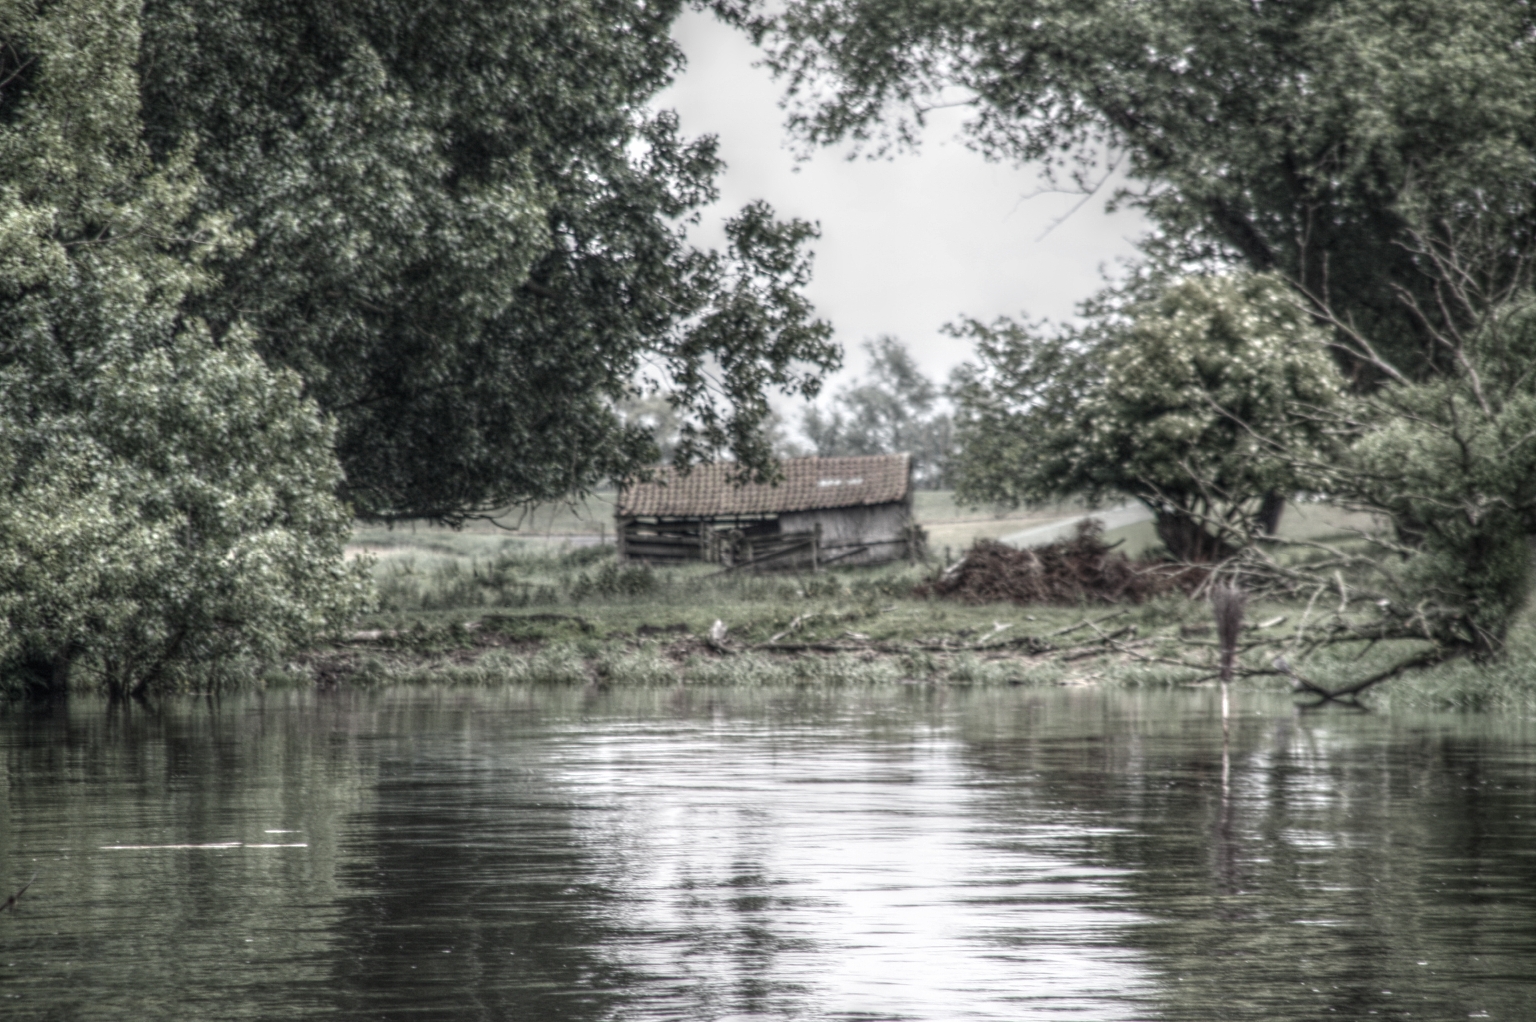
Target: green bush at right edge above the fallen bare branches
[(1452, 463)]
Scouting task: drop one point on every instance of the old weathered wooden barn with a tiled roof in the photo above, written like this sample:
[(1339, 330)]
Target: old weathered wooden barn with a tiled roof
[(826, 511)]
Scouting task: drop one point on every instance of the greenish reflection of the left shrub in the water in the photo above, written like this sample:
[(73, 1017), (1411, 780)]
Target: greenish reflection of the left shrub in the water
[(164, 934)]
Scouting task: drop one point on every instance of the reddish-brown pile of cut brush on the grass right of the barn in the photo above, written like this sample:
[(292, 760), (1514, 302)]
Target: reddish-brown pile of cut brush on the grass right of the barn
[(1076, 571)]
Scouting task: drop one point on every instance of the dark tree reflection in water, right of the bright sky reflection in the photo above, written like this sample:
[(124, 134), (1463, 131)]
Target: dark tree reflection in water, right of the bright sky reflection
[(1337, 858)]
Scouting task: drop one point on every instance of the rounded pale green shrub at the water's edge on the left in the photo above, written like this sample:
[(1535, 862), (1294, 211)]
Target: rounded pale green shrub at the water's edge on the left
[(179, 519)]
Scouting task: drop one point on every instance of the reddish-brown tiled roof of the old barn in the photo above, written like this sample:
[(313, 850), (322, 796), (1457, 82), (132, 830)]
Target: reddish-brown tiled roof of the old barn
[(809, 485)]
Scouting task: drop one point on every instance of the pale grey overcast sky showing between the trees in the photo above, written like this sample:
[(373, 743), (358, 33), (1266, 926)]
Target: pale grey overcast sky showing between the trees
[(907, 245)]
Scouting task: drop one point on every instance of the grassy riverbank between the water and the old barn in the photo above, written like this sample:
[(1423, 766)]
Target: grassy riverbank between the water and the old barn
[(485, 608)]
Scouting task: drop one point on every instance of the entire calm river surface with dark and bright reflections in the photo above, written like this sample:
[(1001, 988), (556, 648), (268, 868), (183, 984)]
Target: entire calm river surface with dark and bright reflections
[(766, 855)]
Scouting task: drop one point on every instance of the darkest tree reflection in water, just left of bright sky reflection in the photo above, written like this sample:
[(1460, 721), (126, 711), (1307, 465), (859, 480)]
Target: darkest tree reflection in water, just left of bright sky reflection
[(462, 897)]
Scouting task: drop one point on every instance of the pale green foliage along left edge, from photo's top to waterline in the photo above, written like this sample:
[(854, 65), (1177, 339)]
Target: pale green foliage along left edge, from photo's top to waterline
[(167, 500)]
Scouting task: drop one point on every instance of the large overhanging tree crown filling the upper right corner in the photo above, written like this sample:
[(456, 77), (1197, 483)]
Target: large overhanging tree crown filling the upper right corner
[(1319, 139)]
